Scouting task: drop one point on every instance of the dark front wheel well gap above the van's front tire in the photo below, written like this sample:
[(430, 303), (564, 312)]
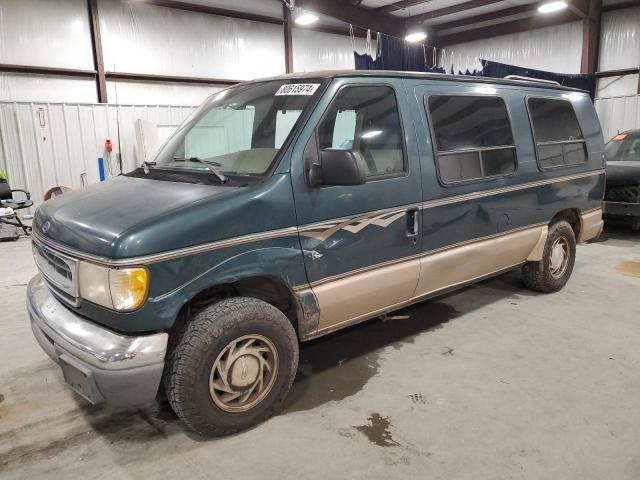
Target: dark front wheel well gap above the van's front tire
[(269, 289)]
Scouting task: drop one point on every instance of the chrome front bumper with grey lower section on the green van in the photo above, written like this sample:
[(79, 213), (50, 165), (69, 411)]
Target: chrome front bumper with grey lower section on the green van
[(97, 363)]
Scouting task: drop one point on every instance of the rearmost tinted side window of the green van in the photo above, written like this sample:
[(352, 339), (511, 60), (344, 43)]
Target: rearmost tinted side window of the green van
[(559, 140)]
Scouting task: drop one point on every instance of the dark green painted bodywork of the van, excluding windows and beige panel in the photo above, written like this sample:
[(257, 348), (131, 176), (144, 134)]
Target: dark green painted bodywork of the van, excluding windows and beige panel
[(131, 217)]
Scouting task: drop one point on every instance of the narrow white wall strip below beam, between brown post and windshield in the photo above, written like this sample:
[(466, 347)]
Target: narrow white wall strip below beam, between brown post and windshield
[(156, 93)]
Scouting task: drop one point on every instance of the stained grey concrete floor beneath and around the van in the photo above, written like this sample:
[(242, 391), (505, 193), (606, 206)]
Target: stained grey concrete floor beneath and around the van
[(492, 382)]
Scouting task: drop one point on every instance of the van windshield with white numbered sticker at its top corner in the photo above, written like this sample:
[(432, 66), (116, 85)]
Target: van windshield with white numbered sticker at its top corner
[(240, 130)]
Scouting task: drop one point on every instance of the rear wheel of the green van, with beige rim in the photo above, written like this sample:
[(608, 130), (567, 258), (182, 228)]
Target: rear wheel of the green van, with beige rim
[(552, 272)]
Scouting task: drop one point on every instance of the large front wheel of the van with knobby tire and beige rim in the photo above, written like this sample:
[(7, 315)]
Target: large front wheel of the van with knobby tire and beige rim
[(233, 366)]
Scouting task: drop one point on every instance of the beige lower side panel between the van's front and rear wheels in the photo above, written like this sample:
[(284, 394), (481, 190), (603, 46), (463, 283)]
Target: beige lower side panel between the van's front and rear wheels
[(361, 295)]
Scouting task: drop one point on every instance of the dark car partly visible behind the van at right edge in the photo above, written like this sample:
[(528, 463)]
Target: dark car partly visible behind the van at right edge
[(622, 193)]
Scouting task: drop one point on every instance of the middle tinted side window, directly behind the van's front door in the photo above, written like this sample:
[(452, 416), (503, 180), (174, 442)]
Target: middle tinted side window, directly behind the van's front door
[(473, 137)]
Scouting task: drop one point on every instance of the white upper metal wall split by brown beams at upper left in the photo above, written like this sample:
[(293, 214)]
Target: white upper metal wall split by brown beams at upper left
[(149, 39)]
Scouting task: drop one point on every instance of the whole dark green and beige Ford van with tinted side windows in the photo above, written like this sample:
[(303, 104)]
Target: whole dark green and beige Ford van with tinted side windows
[(287, 208)]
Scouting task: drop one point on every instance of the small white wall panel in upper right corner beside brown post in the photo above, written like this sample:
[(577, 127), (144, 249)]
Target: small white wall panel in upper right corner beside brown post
[(620, 39)]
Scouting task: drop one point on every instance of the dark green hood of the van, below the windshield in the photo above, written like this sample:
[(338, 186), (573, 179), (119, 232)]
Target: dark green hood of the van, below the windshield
[(129, 217)]
